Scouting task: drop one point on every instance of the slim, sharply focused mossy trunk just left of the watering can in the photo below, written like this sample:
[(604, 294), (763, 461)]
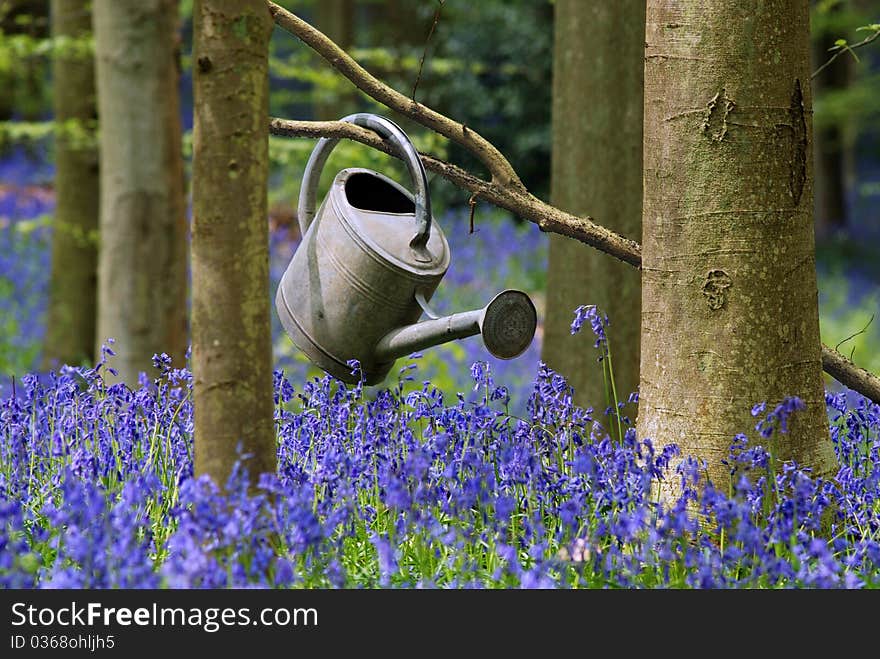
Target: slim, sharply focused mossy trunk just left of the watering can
[(232, 345)]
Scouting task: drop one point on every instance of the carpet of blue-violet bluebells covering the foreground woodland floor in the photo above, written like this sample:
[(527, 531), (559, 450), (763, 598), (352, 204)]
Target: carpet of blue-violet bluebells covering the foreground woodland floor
[(403, 488)]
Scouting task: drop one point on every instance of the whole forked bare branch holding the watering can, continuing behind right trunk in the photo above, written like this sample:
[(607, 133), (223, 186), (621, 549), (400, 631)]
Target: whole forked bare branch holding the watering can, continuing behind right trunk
[(505, 189)]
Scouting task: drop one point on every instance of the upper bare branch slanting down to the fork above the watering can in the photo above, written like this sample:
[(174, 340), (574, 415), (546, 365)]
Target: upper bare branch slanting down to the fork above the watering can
[(501, 170)]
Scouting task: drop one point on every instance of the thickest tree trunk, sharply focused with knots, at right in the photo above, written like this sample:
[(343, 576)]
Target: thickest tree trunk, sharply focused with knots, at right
[(729, 298)]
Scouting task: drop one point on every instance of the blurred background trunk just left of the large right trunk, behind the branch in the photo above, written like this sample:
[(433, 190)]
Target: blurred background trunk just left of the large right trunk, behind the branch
[(596, 170)]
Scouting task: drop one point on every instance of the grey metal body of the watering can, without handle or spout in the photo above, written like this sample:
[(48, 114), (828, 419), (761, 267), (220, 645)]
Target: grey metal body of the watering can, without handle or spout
[(346, 285)]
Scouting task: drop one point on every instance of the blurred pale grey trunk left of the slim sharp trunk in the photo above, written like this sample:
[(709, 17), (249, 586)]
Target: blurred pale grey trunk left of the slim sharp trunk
[(142, 260)]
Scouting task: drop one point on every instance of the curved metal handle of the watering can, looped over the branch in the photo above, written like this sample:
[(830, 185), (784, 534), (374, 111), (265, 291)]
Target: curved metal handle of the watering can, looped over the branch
[(390, 131)]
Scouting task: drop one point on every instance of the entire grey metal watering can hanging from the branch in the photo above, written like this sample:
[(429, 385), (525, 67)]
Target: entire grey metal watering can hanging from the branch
[(368, 264)]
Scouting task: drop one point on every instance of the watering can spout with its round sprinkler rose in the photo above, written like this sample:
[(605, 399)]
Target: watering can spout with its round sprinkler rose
[(507, 325)]
